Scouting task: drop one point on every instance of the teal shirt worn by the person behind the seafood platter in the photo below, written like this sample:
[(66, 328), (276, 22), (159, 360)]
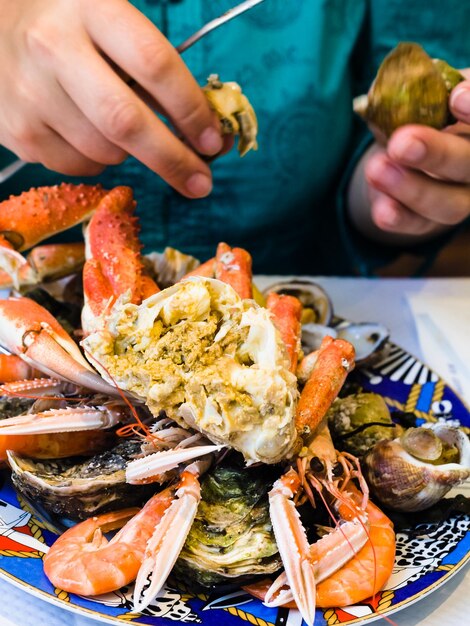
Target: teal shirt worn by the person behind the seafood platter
[(300, 63)]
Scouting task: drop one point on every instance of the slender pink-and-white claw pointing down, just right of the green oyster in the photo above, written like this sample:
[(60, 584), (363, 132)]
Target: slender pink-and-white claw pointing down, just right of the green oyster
[(293, 545)]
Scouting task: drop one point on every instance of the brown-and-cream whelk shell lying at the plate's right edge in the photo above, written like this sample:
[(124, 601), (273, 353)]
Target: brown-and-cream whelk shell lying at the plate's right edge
[(404, 483)]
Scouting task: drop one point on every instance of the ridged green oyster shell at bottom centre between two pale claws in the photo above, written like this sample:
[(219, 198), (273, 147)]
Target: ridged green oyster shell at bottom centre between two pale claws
[(232, 536)]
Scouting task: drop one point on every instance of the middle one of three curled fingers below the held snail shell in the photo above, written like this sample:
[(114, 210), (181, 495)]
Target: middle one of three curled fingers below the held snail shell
[(438, 201)]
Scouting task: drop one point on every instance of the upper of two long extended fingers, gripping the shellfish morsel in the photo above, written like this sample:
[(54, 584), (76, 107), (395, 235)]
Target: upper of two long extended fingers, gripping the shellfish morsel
[(137, 46)]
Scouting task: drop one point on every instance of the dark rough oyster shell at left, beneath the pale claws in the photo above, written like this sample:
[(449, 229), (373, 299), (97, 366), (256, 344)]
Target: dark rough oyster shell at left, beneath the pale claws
[(76, 488)]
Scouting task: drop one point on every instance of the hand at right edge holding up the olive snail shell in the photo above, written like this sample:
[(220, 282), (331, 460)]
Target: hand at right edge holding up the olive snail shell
[(419, 185)]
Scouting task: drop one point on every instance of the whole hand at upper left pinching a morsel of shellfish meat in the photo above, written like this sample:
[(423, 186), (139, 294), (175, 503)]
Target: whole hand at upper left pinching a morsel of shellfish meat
[(63, 105)]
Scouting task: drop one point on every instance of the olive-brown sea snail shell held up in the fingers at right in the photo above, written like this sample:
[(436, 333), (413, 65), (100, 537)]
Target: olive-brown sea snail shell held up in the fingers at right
[(410, 88)]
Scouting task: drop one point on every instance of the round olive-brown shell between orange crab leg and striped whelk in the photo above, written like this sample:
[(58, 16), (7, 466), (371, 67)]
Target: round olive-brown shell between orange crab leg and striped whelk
[(357, 422)]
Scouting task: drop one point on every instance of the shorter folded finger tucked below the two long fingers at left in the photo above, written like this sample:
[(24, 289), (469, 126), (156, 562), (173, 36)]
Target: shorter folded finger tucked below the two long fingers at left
[(66, 119)]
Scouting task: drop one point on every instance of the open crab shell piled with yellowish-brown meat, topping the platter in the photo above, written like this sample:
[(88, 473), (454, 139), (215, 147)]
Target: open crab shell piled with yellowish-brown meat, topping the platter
[(210, 360)]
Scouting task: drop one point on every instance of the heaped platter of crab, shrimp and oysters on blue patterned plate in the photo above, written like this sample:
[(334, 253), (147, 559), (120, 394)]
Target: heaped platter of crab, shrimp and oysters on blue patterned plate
[(178, 445)]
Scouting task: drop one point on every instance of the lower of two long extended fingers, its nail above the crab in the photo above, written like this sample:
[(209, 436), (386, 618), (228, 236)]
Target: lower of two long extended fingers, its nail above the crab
[(113, 108)]
